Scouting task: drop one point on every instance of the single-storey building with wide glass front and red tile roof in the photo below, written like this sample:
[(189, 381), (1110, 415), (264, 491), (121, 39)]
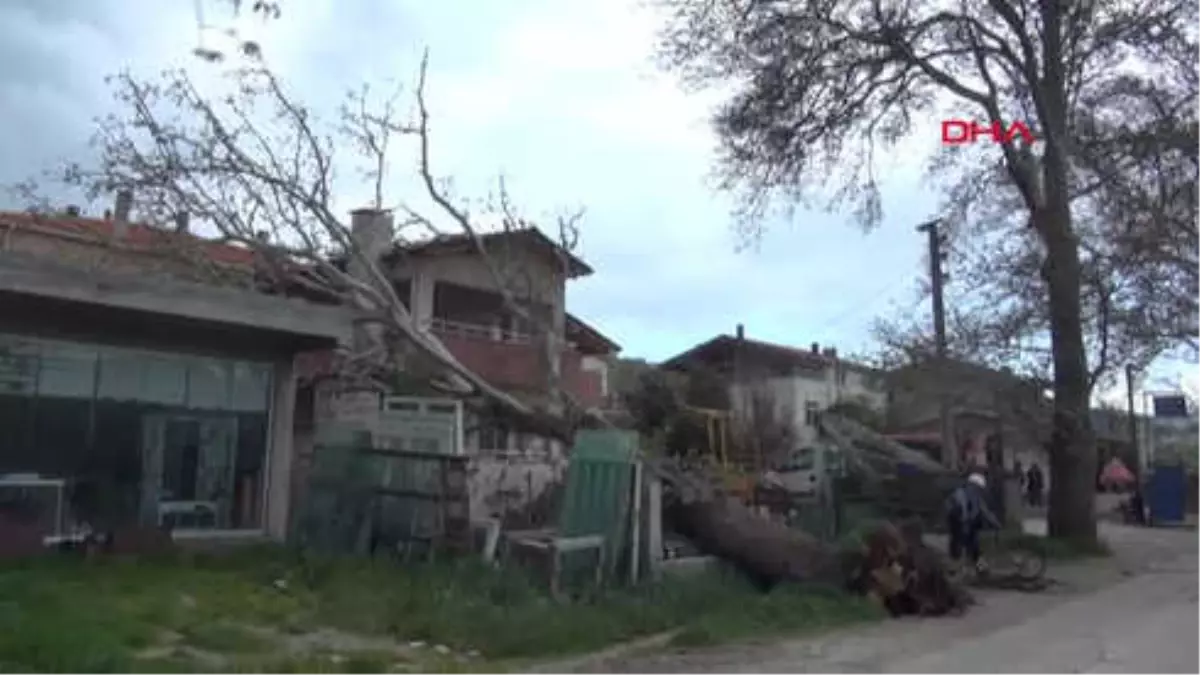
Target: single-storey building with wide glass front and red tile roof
[(135, 391)]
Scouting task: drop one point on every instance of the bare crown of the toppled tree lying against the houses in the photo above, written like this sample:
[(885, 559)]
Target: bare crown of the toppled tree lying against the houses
[(249, 162)]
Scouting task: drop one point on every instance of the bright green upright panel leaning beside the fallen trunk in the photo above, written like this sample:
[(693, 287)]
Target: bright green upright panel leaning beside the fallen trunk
[(598, 489)]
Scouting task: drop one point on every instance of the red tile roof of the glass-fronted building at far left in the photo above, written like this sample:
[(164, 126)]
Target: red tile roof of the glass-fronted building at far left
[(137, 236)]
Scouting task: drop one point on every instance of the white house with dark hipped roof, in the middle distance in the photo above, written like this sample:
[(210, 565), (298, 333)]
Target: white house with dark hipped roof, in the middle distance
[(799, 384)]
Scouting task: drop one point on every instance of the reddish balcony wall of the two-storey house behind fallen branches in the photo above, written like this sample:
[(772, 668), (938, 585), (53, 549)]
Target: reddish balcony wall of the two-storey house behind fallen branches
[(513, 361)]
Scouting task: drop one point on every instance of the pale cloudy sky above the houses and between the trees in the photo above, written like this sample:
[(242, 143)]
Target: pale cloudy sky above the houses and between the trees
[(562, 99)]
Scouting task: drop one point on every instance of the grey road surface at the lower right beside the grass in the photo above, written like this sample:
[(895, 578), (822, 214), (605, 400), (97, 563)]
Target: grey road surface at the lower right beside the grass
[(1136, 613)]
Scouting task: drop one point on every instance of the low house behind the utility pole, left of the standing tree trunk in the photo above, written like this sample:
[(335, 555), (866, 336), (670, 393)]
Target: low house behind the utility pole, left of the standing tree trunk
[(987, 409)]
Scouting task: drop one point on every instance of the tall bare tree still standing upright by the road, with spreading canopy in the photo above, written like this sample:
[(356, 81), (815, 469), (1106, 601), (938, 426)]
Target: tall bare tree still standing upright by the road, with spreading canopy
[(1052, 240)]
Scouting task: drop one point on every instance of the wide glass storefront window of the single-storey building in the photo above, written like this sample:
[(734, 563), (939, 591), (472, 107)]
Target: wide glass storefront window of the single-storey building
[(151, 438)]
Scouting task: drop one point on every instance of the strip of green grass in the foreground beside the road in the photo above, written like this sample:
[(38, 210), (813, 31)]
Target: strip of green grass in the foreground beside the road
[(62, 616)]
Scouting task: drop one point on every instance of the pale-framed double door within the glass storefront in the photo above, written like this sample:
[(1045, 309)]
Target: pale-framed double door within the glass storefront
[(189, 467)]
